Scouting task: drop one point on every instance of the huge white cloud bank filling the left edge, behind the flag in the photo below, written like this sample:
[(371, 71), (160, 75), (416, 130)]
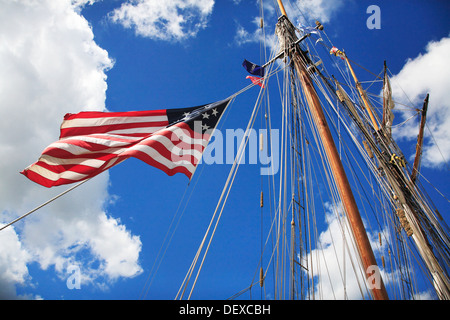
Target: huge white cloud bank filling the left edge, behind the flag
[(50, 66)]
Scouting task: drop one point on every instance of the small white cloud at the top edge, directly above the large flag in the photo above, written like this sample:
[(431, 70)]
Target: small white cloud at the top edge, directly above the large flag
[(164, 20)]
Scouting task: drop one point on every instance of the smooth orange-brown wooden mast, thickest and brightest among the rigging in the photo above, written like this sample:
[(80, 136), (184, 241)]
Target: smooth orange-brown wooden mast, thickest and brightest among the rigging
[(362, 241)]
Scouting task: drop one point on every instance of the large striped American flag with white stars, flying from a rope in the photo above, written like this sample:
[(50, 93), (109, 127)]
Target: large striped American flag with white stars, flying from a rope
[(172, 140)]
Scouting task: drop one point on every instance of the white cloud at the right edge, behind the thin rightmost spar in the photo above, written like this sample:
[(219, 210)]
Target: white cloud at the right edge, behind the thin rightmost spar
[(427, 73)]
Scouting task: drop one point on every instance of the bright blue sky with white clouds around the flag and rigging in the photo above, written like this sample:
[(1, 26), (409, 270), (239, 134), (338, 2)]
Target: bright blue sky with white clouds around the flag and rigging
[(68, 57)]
